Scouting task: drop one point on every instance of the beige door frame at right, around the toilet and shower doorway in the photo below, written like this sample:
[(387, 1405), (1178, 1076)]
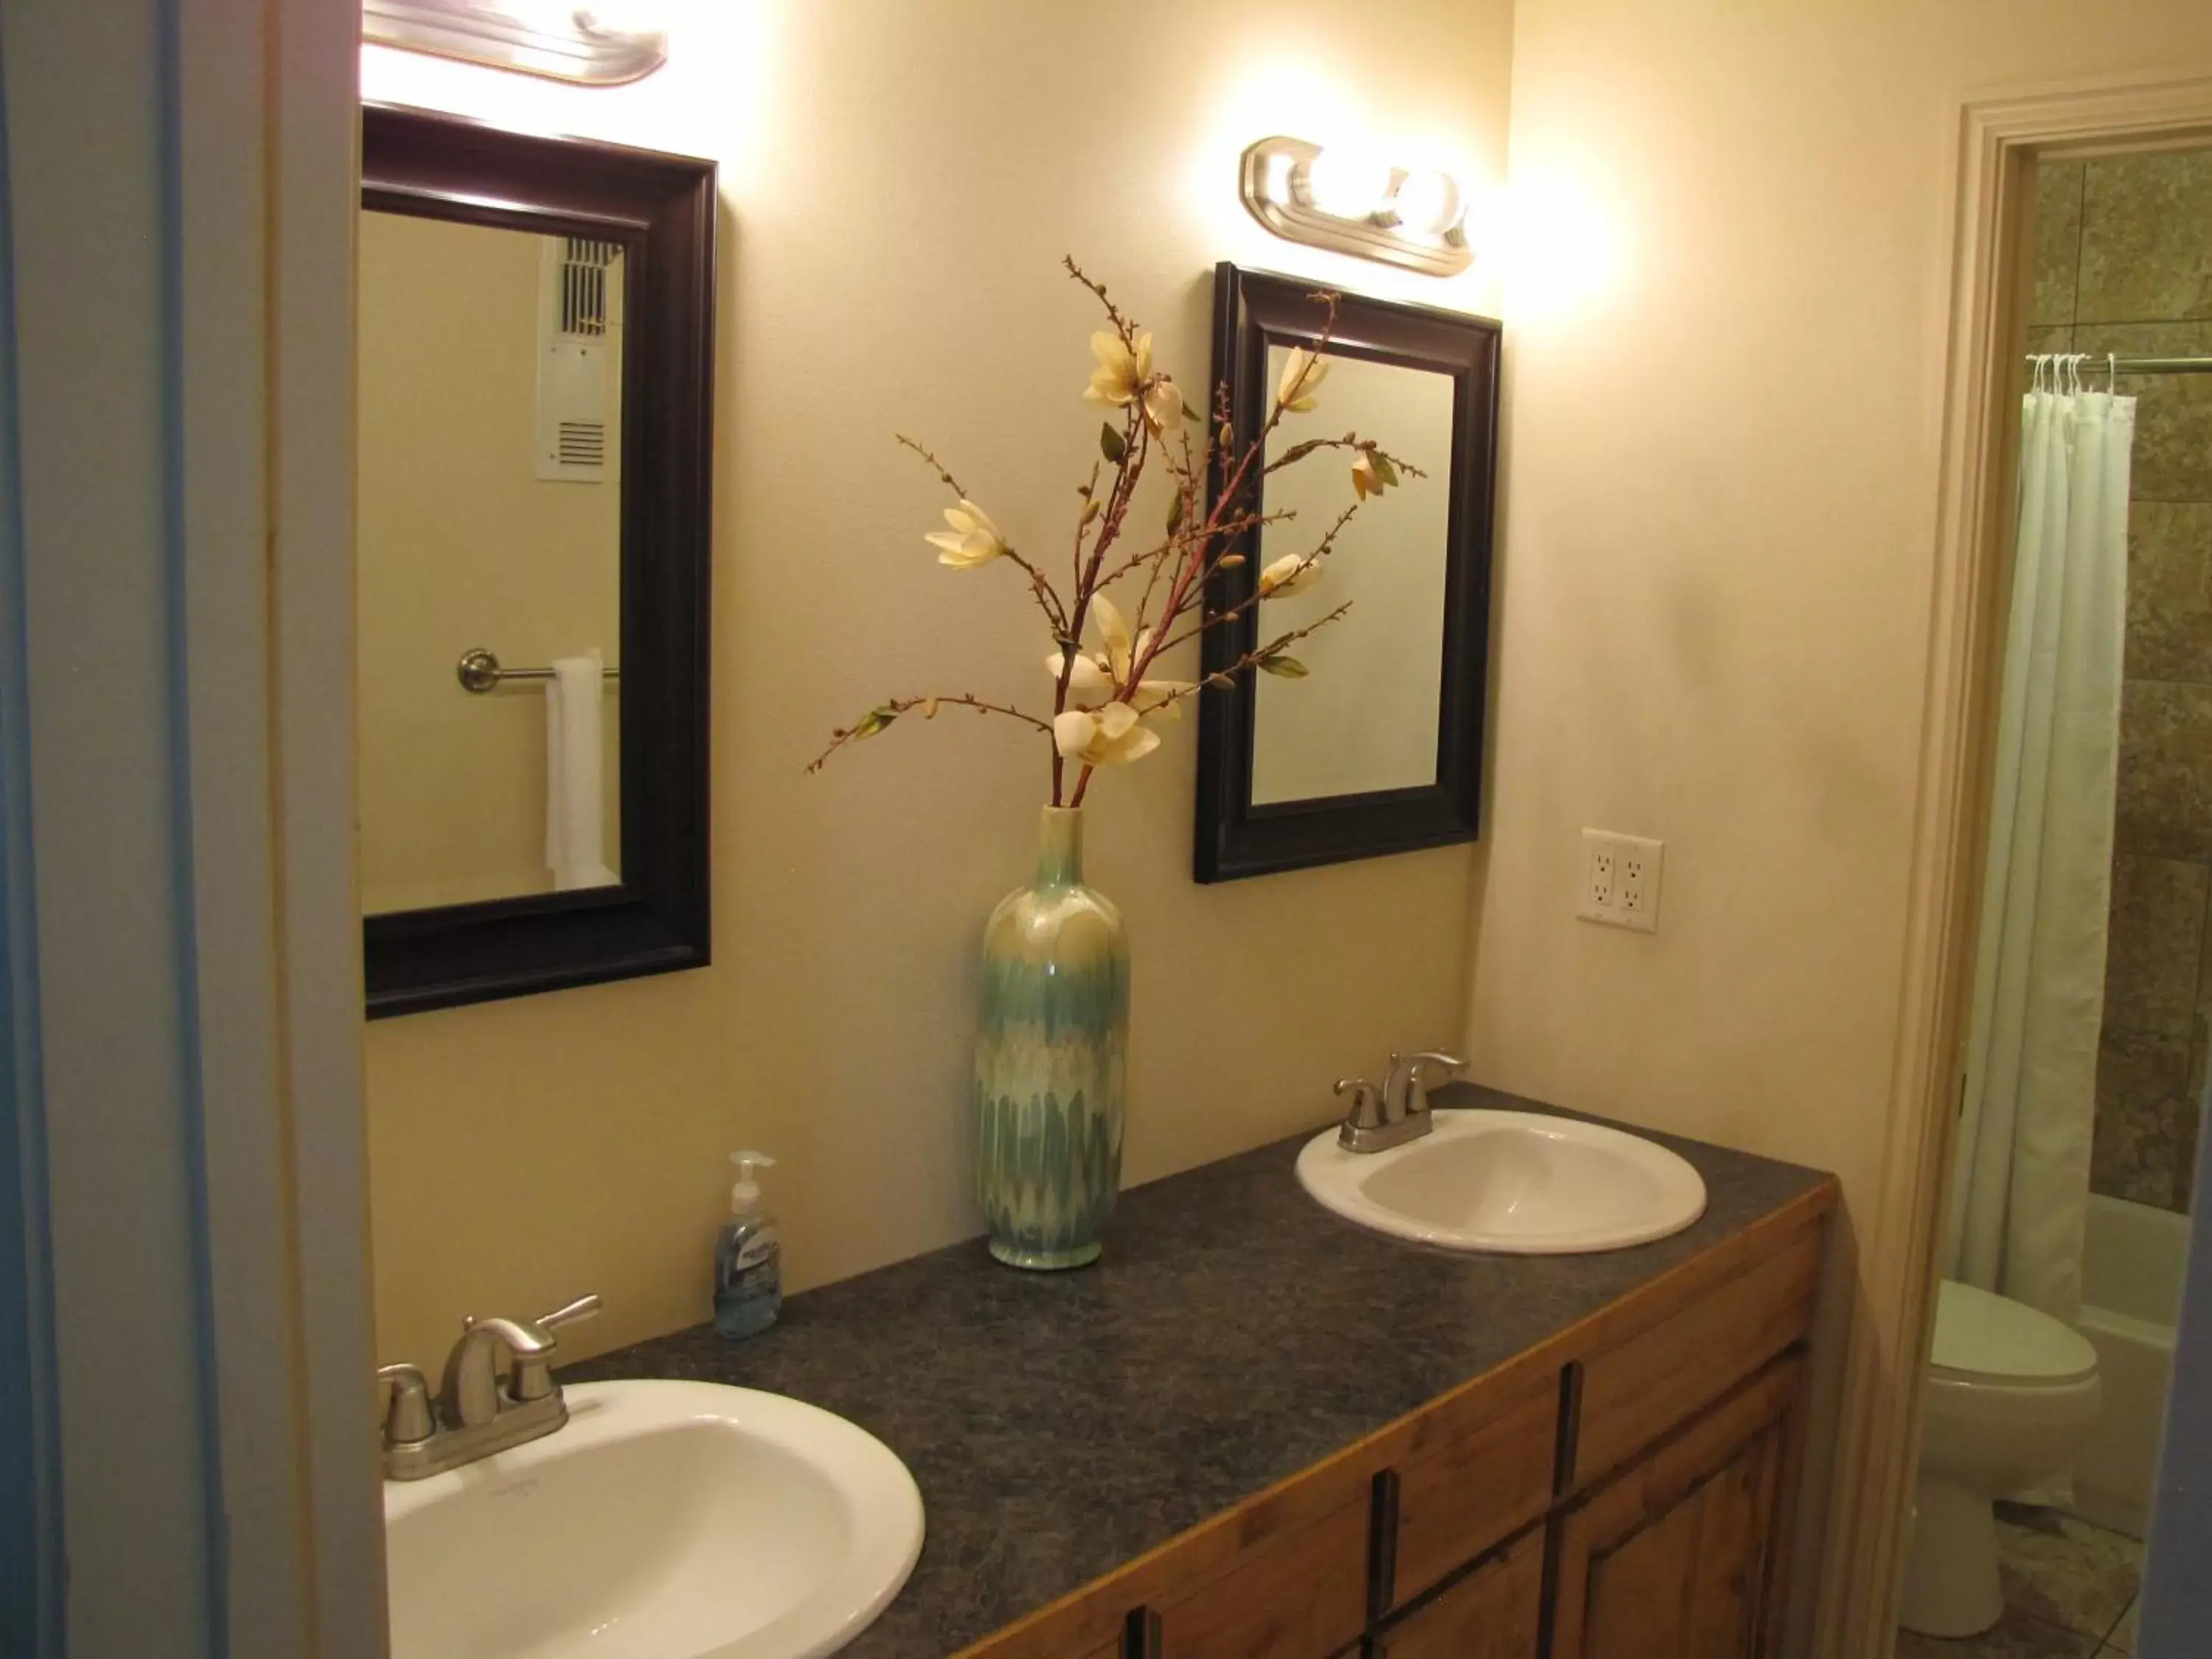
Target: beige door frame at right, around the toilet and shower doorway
[(1879, 1443)]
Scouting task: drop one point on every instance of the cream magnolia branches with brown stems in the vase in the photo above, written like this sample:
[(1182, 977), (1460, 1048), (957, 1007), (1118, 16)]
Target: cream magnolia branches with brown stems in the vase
[(1105, 691)]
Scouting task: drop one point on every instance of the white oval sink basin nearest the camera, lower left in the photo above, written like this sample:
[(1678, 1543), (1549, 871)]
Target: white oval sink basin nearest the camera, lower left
[(667, 1521)]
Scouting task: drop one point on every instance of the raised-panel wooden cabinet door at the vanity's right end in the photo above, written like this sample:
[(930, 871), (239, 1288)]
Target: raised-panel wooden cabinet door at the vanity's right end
[(1682, 1554)]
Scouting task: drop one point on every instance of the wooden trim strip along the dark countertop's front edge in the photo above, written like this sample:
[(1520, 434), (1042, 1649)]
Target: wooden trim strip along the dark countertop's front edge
[(1087, 1618)]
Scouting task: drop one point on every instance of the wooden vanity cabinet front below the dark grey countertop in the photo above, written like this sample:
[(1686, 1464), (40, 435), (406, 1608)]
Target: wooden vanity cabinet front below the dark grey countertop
[(1620, 1492)]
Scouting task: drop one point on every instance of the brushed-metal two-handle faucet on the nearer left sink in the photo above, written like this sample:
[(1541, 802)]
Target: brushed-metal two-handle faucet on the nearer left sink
[(477, 1412)]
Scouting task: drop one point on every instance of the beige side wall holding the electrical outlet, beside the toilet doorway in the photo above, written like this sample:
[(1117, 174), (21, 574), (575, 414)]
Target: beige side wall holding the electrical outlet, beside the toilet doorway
[(1726, 328)]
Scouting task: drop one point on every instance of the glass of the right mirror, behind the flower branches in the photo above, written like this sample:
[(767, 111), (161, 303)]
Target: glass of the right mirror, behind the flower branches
[(1366, 718)]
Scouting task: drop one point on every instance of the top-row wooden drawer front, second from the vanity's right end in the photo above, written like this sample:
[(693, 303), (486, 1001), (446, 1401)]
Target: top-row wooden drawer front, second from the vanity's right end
[(1470, 1485)]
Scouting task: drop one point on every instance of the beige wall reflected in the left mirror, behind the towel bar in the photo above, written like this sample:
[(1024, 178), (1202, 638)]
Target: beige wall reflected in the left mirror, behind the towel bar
[(463, 545)]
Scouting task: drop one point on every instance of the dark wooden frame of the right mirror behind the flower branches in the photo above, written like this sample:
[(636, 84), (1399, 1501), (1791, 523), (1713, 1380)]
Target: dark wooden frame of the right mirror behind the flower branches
[(1255, 311)]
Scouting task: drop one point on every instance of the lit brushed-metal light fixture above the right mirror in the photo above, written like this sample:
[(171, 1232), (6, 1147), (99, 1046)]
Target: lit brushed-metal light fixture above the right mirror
[(1342, 200)]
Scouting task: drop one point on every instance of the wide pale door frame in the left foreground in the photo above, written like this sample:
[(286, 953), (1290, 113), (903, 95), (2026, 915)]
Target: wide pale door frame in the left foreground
[(185, 605)]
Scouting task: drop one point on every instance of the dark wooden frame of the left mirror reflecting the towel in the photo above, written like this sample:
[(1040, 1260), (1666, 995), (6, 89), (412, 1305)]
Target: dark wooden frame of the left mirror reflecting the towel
[(662, 211)]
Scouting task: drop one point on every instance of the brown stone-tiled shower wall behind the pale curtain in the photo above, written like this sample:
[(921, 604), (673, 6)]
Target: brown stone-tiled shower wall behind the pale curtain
[(2125, 267)]
